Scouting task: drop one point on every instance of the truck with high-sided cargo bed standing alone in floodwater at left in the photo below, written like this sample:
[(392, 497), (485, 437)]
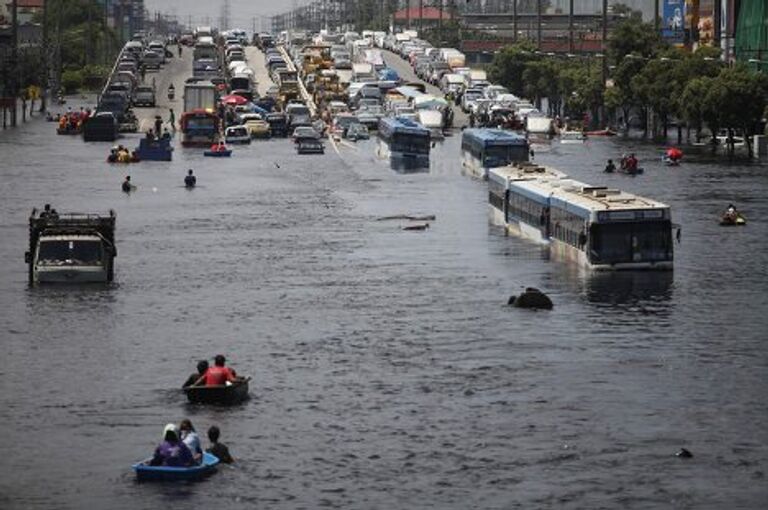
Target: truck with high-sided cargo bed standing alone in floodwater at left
[(71, 248)]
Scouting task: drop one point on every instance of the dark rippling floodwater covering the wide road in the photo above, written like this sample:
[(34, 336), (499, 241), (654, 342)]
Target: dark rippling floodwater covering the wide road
[(387, 370)]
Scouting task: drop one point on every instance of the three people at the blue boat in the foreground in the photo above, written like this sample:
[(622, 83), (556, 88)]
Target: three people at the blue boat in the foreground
[(181, 446)]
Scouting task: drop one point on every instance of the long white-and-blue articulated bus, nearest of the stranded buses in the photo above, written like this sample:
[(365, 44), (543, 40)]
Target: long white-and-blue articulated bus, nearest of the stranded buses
[(597, 227)]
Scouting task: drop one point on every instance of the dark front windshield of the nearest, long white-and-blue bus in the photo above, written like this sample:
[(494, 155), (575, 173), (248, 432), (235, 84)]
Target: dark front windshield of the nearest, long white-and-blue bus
[(631, 242)]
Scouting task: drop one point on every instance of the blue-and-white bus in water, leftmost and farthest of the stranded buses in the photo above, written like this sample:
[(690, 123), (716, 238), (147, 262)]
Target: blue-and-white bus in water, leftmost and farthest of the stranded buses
[(404, 142)]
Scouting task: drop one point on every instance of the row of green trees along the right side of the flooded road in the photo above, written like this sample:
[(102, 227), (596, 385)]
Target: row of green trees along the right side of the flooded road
[(648, 80)]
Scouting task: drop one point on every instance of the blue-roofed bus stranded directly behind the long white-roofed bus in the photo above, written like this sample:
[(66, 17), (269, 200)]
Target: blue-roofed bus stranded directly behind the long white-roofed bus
[(483, 149)]
